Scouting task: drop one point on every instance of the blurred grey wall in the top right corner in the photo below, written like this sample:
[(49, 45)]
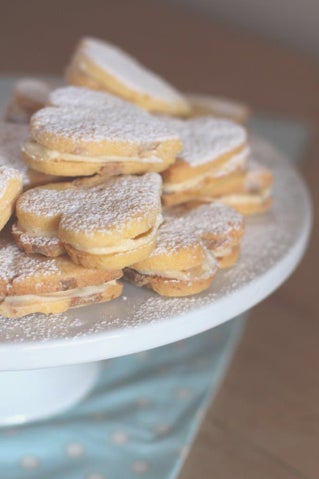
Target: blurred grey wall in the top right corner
[(292, 21)]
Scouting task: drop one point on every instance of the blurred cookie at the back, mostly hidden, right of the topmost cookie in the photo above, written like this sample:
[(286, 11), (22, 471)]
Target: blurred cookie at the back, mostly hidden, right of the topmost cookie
[(221, 107)]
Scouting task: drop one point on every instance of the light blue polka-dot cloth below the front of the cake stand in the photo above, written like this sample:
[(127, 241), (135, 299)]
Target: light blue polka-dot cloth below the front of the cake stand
[(139, 421)]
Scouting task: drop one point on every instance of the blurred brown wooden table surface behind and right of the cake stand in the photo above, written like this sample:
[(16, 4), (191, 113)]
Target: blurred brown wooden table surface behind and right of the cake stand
[(265, 421)]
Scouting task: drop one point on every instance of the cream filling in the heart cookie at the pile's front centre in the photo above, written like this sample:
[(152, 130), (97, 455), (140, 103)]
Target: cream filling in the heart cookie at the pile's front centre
[(126, 245)]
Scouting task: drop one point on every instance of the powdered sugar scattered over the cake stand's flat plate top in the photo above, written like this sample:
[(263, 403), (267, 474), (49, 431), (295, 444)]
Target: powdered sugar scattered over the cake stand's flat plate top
[(268, 239)]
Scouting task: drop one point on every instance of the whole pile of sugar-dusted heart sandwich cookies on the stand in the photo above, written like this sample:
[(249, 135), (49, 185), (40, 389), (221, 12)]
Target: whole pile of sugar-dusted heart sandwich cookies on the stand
[(85, 170)]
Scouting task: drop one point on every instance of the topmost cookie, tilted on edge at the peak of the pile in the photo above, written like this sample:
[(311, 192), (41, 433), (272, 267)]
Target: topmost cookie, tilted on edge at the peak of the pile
[(103, 66)]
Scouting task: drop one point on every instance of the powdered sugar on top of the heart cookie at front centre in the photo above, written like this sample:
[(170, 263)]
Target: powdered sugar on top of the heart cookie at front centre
[(106, 206)]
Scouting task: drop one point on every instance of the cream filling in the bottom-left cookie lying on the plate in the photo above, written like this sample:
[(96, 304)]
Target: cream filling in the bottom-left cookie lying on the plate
[(55, 297)]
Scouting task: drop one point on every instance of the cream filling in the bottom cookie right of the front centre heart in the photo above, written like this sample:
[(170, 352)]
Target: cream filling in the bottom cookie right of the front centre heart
[(205, 271)]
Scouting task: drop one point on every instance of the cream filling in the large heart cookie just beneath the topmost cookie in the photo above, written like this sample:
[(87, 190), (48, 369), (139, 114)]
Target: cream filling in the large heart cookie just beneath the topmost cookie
[(38, 152)]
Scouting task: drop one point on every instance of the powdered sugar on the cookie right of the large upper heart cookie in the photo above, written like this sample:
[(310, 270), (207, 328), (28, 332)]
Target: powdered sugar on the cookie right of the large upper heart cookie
[(206, 139)]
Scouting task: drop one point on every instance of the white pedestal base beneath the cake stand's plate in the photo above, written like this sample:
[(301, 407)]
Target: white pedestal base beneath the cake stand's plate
[(38, 394)]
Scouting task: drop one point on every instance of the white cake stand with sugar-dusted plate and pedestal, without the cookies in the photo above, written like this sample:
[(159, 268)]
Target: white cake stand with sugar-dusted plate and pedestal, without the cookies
[(49, 363)]
